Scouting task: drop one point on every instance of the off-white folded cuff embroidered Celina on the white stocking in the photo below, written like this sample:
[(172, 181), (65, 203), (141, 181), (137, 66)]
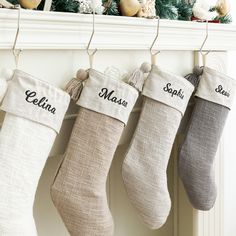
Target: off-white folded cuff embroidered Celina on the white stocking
[(33, 99)]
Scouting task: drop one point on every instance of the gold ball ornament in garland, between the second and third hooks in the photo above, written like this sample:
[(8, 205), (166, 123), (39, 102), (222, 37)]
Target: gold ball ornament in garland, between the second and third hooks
[(129, 7)]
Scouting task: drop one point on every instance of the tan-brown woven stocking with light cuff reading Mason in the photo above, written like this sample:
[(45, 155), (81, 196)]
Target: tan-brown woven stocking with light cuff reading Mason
[(79, 188)]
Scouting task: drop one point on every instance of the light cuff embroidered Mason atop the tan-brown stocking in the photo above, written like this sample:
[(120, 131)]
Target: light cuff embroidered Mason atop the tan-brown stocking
[(108, 96)]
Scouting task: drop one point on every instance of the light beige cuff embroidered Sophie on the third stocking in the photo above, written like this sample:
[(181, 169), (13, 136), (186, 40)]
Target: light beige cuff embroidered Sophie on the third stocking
[(170, 89)]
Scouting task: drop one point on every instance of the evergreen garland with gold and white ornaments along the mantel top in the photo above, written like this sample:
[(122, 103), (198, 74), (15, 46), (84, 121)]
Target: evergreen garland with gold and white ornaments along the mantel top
[(216, 11)]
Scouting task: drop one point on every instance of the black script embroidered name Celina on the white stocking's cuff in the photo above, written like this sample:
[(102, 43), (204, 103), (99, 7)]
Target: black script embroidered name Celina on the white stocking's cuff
[(42, 103)]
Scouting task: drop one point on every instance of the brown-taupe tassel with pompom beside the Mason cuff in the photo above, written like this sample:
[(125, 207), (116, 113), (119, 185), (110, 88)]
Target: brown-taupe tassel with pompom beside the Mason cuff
[(75, 86)]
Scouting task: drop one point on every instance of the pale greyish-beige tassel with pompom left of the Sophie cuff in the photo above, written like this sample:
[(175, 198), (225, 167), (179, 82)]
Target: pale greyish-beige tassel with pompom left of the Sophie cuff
[(137, 78)]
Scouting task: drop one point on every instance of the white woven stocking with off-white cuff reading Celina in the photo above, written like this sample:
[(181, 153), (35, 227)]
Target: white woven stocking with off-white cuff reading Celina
[(34, 113)]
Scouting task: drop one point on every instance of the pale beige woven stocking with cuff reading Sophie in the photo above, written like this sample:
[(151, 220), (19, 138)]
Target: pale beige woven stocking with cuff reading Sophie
[(145, 164)]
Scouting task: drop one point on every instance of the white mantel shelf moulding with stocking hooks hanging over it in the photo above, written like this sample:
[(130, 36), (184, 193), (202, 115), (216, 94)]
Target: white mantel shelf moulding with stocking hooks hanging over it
[(53, 30)]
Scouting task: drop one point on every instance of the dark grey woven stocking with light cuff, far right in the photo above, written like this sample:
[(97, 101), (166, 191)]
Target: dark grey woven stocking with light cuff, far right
[(214, 99)]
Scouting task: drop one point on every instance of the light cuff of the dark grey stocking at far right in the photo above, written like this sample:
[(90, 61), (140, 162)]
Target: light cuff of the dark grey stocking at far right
[(216, 87)]
